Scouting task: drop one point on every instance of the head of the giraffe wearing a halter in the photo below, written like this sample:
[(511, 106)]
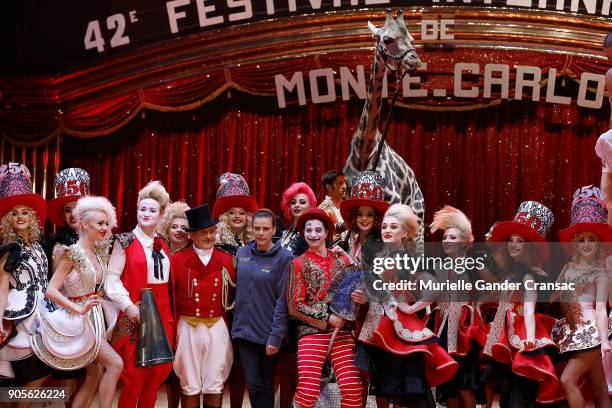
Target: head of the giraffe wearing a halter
[(394, 42)]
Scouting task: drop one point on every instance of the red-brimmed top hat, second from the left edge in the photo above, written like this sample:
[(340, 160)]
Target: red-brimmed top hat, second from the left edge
[(70, 185)]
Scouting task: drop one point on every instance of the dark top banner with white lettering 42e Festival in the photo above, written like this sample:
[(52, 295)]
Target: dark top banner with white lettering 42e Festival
[(96, 30)]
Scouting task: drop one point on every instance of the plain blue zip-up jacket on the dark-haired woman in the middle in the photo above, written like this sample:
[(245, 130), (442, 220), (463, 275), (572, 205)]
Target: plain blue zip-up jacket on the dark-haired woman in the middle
[(260, 314)]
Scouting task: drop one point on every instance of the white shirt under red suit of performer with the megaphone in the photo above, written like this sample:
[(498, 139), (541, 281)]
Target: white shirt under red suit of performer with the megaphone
[(113, 285)]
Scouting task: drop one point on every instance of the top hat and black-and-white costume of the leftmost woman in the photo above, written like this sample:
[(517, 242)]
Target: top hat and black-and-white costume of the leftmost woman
[(27, 266)]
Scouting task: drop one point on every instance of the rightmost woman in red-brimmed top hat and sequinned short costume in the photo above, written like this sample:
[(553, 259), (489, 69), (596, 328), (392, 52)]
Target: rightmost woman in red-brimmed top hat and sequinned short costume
[(583, 333)]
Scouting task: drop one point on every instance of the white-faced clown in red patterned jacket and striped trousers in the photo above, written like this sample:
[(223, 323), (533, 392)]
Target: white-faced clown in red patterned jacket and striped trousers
[(310, 276)]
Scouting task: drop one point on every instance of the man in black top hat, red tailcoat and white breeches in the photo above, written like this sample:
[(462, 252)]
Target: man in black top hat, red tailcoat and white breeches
[(204, 281)]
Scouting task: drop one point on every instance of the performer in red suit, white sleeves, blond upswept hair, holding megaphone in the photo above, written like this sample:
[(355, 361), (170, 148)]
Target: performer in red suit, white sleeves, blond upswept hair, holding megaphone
[(140, 259)]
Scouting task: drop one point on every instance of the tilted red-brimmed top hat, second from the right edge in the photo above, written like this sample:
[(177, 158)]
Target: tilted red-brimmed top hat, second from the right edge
[(532, 221)]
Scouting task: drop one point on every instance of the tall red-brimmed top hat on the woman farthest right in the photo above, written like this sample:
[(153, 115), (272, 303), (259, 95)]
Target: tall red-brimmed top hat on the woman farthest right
[(589, 214)]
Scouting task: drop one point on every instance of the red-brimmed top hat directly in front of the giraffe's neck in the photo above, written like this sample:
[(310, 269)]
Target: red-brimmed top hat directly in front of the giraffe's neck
[(367, 189)]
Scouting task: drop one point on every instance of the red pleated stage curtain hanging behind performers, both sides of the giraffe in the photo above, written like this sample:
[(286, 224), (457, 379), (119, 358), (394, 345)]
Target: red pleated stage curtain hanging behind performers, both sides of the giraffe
[(484, 162)]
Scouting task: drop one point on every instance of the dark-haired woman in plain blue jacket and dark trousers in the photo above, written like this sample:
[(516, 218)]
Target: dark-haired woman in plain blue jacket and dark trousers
[(260, 319)]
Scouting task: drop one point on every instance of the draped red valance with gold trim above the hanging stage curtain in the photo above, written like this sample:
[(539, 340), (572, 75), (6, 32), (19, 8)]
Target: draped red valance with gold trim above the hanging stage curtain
[(30, 118)]
